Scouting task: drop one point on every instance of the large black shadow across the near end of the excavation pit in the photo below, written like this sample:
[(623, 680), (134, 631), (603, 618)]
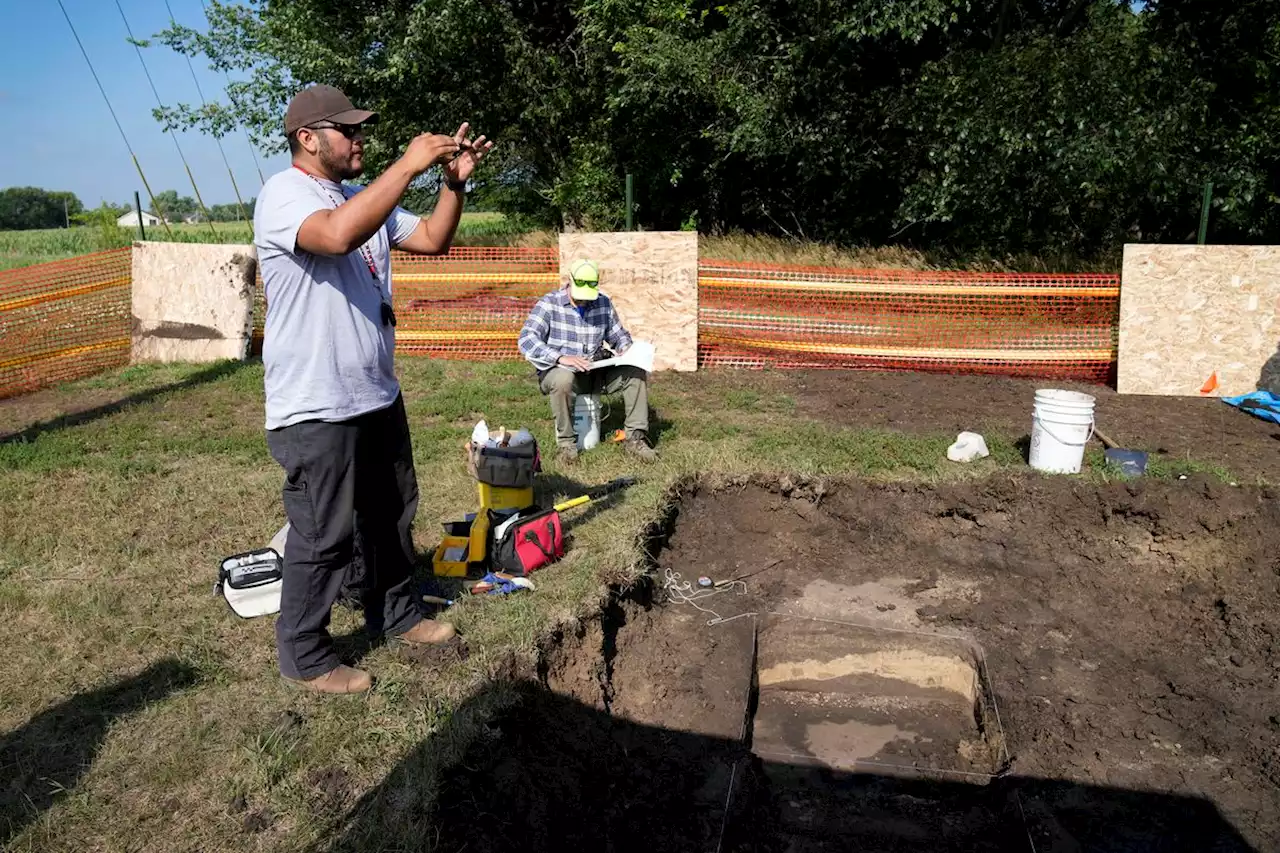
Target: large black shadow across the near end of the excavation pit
[(554, 774)]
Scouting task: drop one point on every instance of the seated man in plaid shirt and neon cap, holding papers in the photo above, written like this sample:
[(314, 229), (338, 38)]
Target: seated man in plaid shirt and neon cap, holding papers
[(563, 336)]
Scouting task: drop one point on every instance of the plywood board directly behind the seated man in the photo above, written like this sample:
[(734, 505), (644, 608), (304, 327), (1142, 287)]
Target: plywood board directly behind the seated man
[(652, 279)]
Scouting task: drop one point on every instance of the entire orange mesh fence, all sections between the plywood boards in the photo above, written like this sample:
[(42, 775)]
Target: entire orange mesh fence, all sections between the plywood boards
[(71, 320)]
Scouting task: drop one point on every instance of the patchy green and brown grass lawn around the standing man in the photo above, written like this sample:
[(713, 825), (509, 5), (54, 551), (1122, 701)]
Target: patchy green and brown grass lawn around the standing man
[(139, 713)]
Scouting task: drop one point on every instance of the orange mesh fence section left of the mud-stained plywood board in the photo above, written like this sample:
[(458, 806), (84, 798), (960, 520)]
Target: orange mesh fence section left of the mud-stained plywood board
[(63, 321)]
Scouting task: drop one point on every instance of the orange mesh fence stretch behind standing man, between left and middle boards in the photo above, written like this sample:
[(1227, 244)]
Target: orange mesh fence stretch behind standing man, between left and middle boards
[(468, 304)]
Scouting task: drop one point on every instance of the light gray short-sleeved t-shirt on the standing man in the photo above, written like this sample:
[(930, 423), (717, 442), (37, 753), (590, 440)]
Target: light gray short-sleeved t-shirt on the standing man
[(327, 352)]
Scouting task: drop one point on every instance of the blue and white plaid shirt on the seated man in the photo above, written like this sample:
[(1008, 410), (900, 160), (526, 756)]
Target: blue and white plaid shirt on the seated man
[(556, 329)]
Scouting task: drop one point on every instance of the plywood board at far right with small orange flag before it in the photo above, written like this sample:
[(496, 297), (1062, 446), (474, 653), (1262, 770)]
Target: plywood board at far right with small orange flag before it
[(1190, 314)]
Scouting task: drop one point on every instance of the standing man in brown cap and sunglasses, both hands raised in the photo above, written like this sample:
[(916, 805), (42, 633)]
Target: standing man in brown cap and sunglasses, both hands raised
[(335, 414)]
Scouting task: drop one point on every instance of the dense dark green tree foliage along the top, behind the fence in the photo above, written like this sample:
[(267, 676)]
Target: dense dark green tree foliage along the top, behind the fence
[(996, 125)]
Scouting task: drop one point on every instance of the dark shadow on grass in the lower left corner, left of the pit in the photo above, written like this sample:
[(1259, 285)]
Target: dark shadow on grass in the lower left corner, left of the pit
[(45, 759)]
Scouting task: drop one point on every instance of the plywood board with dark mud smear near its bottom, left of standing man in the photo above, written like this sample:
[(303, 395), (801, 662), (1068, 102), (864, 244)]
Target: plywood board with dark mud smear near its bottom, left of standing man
[(193, 302)]
